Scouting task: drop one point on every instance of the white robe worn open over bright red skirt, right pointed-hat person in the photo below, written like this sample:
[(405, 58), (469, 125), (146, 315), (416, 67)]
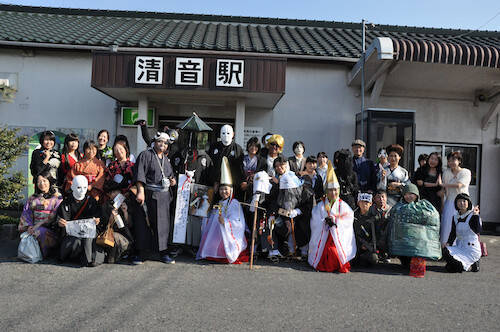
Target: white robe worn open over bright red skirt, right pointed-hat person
[(342, 235)]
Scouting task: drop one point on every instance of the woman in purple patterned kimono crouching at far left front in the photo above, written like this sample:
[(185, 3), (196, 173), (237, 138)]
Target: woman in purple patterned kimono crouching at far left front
[(39, 212)]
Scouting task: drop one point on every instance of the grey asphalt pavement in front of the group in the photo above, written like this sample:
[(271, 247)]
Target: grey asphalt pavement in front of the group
[(194, 296)]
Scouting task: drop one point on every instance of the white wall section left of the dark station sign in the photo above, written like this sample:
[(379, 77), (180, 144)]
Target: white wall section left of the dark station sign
[(53, 92)]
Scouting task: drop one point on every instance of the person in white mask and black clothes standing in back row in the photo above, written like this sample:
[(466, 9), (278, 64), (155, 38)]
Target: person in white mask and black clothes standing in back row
[(226, 147)]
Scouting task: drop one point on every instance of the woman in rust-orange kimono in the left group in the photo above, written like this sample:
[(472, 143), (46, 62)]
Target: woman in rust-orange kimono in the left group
[(90, 167)]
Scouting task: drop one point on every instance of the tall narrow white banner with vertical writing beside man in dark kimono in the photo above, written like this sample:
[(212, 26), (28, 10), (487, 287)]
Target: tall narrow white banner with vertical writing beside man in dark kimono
[(181, 209)]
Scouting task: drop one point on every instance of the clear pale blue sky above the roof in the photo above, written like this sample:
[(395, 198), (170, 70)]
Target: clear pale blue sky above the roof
[(455, 14)]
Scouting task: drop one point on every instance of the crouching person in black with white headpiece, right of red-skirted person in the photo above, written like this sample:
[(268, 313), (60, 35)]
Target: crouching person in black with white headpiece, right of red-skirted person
[(364, 229)]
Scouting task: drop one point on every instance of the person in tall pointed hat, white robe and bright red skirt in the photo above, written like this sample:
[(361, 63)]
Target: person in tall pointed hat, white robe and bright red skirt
[(332, 243)]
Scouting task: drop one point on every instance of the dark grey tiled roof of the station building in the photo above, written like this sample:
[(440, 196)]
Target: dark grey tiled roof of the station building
[(209, 32)]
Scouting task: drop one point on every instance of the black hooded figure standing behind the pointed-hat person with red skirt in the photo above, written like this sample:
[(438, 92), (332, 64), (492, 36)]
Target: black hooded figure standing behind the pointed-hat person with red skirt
[(348, 180)]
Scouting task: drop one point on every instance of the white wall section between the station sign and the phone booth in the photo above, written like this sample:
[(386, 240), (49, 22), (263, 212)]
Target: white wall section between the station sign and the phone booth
[(317, 108)]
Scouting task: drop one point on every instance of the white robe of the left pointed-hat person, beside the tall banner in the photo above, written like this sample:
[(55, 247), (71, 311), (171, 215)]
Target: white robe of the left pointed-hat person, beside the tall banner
[(223, 241)]
